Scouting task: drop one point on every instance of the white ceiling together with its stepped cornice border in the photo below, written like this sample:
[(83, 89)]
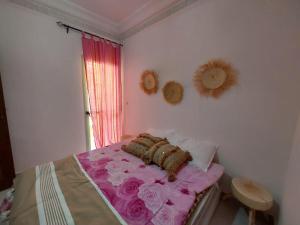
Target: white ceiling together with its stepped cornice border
[(115, 19)]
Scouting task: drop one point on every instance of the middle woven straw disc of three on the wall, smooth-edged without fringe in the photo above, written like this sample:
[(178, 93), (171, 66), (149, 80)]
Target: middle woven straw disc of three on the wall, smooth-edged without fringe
[(173, 92)]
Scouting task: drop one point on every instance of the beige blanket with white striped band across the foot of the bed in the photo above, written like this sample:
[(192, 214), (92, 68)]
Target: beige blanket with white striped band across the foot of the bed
[(59, 193)]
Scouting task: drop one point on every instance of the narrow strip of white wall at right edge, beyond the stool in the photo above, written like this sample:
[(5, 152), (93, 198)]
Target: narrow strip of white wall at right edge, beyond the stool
[(291, 195)]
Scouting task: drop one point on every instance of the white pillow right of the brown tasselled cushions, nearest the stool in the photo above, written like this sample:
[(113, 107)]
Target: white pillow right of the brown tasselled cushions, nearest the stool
[(203, 152)]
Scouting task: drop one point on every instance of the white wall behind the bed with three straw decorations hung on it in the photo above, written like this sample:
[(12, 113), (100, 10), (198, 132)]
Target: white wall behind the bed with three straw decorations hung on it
[(254, 121)]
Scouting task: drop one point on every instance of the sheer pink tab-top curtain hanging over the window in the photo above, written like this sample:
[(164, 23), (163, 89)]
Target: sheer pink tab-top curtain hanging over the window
[(103, 74)]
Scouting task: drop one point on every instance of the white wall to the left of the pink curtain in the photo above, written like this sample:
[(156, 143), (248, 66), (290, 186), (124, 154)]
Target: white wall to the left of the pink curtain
[(41, 74)]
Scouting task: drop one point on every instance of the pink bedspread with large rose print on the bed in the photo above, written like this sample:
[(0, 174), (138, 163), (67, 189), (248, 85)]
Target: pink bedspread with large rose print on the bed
[(142, 194)]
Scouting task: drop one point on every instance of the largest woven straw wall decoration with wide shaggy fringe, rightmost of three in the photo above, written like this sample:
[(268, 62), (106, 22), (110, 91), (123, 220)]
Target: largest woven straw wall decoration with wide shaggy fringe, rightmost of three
[(214, 77)]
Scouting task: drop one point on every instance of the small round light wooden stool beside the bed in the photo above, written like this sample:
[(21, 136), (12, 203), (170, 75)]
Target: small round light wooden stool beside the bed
[(252, 195)]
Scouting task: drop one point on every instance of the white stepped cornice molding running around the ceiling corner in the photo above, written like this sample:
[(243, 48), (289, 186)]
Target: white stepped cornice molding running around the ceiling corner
[(75, 15)]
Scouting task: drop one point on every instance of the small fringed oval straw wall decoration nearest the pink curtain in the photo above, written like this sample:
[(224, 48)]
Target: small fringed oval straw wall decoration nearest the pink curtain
[(149, 82)]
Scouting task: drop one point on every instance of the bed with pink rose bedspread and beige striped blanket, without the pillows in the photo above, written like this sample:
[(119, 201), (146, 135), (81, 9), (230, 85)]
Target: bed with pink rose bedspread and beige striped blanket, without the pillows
[(110, 186)]
